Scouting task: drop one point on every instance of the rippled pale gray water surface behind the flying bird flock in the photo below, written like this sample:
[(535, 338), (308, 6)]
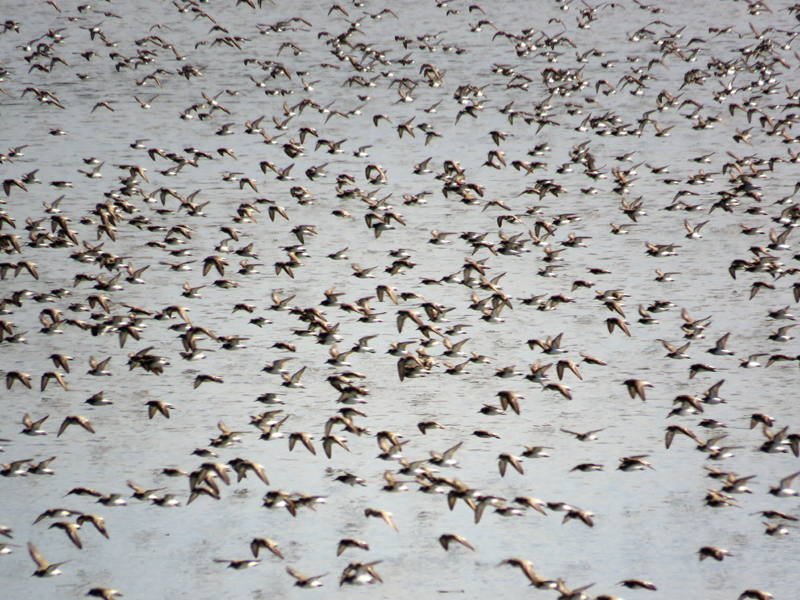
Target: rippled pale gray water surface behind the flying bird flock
[(647, 524)]
